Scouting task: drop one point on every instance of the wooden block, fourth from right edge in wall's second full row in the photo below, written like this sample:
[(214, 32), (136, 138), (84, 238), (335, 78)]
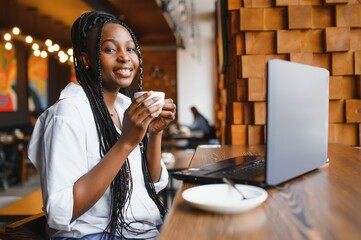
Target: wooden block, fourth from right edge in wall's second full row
[(289, 41)]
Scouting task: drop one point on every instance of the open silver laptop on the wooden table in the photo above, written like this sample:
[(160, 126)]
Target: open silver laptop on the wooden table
[(296, 131)]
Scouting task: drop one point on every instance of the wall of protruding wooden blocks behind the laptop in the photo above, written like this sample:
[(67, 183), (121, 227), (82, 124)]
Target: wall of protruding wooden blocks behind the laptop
[(323, 33)]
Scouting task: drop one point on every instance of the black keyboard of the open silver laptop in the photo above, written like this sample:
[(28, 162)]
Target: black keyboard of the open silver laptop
[(251, 170)]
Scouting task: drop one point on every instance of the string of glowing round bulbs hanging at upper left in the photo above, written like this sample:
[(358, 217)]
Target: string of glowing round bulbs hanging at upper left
[(40, 48)]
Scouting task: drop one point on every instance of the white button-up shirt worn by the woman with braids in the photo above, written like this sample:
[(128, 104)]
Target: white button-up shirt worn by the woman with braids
[(64, 146)]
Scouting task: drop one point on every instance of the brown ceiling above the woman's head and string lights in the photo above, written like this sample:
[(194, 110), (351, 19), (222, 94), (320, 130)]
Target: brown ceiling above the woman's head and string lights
[(52, 19)]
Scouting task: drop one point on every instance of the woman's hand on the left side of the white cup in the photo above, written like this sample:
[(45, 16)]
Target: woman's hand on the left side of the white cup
[(138, 117)]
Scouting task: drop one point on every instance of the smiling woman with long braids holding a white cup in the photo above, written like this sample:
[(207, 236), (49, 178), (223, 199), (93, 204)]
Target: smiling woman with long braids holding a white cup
[(97, 151)]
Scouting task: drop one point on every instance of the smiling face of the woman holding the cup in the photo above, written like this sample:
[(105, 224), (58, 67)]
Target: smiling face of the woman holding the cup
[(118, 57)]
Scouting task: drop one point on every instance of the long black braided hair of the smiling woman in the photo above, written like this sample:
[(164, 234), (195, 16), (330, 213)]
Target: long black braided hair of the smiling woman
[(91, 81)]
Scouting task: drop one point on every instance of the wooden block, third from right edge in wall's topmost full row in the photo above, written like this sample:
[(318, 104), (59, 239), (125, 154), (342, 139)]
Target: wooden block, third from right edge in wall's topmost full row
[(300, 17)]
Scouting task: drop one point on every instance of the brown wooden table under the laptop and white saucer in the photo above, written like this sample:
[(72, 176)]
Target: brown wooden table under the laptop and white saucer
[(323, 204)]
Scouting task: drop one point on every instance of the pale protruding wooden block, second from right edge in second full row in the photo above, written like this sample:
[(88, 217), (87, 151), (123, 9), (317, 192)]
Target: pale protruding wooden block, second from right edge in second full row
[(337, 39)]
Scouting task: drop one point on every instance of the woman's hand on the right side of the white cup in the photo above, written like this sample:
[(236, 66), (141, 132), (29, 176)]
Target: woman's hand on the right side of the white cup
[(166, 116)]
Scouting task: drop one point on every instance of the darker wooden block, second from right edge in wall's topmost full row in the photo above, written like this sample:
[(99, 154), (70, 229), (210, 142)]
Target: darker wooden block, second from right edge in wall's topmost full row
[(322, 16)]
